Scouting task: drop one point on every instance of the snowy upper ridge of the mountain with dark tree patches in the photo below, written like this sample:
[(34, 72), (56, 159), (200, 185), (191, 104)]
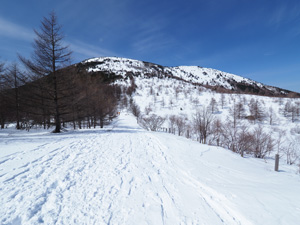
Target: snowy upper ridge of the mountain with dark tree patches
[(120, 68)]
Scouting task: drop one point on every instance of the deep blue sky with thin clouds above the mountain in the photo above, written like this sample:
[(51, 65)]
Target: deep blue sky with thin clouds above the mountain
[(259, 40)]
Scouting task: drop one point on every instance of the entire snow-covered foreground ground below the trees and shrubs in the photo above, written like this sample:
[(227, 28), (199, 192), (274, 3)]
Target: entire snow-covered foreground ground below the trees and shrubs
[(126, 175)]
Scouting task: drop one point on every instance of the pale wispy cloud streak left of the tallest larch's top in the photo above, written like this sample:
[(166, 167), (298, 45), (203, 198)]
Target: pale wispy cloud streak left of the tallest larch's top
[(12, 30)]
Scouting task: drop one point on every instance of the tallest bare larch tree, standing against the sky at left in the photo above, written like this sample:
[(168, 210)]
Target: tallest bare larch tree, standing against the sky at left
[(50, 54)]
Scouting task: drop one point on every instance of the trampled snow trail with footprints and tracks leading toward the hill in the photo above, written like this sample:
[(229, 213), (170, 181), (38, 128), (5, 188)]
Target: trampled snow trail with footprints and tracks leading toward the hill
[(122, 176)]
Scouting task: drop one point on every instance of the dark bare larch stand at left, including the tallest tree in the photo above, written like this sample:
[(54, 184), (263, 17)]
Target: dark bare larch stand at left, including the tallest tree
[(49, 92)]
